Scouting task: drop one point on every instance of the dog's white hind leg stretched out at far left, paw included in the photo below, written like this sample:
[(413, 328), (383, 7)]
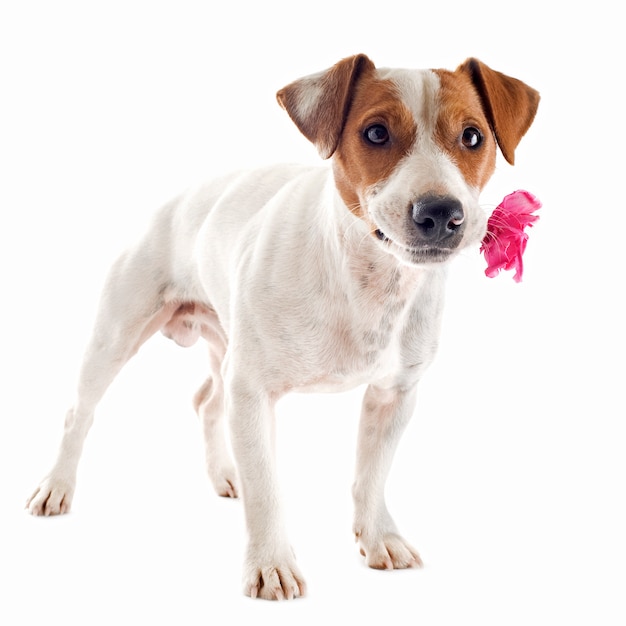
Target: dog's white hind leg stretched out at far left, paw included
[(131, 310)]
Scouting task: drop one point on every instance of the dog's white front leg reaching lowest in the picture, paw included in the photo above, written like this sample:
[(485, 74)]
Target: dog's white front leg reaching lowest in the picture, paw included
[(270, 570)]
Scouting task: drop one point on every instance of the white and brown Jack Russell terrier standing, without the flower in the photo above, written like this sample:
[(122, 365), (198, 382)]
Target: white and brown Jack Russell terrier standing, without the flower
[(311, 278)]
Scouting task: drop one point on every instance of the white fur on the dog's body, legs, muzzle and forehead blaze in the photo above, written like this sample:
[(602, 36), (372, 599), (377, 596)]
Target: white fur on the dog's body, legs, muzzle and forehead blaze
[(292, 292)]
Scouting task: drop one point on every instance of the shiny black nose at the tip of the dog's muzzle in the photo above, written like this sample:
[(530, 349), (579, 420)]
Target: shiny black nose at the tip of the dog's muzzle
[(437, 218)]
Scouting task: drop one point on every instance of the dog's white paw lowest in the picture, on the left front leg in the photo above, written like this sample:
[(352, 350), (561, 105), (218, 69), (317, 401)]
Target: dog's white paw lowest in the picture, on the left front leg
[(280, 581)]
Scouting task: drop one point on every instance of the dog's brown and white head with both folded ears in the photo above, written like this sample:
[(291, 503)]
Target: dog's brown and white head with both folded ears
[(412, 149)]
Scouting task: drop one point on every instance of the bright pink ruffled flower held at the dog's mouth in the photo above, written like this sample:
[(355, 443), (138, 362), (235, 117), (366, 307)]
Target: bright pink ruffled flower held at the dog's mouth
[(505, 241)]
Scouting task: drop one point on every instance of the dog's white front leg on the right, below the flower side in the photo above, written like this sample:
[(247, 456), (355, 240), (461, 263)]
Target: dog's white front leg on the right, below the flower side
[(384, 416)]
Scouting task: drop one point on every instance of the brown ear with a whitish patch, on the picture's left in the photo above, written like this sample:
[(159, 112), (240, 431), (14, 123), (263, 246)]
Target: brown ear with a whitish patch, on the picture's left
[(319, 104)]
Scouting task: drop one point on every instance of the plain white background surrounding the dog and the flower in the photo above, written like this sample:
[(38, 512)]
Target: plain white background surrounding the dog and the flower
[(510, 478)]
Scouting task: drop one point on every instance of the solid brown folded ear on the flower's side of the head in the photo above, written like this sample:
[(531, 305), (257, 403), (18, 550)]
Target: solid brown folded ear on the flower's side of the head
[(510, 104)]
